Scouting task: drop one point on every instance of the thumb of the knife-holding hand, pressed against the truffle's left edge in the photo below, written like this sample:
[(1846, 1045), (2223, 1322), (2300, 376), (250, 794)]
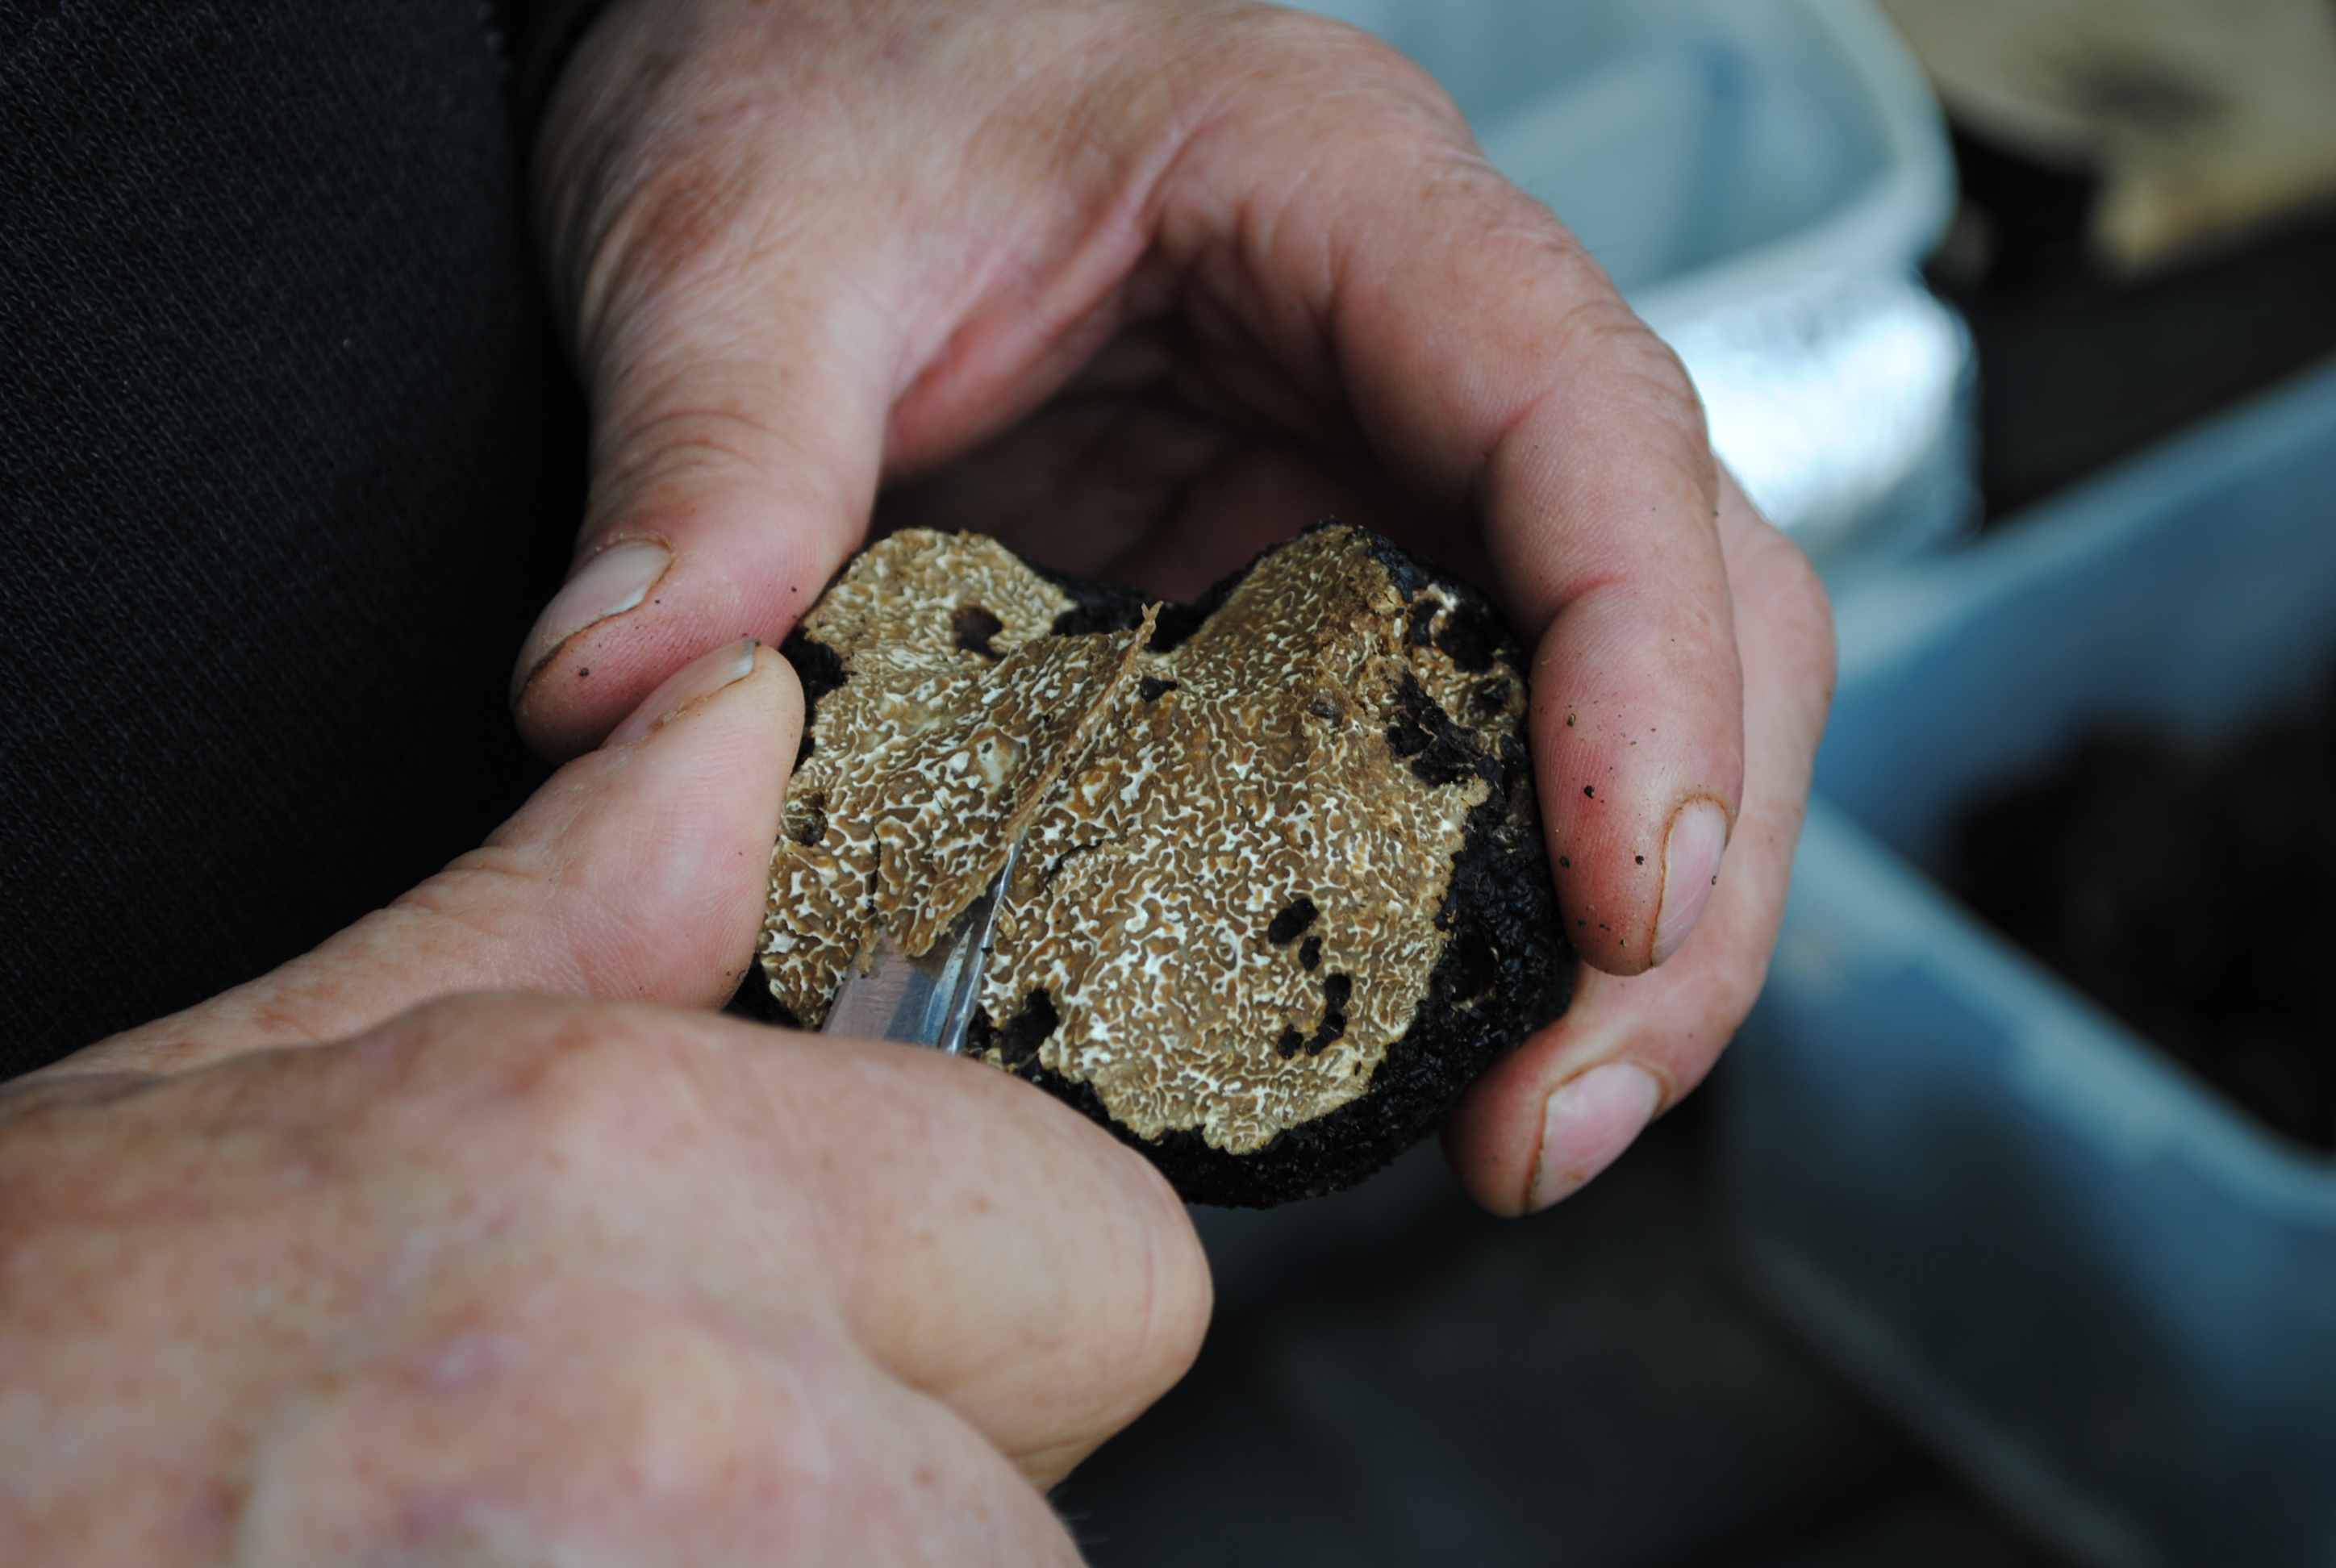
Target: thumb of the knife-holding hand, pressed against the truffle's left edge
[(637, 873)]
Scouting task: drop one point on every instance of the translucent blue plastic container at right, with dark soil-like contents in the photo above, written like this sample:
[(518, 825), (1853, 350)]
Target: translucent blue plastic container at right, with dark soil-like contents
[(2078, 1270)]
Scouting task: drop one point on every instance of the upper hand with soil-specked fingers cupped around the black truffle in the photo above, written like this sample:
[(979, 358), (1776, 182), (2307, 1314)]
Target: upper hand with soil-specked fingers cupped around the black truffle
[(1143, 286)]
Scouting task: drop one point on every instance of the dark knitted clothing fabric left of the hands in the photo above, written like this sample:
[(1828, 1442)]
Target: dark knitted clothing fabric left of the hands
[(274, 485)]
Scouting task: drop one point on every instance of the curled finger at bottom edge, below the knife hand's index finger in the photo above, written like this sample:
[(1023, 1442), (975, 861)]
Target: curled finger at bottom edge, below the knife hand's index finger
[(613, 1431)]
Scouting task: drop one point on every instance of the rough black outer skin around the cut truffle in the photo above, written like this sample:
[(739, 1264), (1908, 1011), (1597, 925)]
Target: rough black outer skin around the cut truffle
[(1506, 969)]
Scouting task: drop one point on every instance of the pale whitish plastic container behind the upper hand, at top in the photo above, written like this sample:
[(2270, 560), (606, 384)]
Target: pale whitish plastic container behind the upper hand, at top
[(1763, 179)]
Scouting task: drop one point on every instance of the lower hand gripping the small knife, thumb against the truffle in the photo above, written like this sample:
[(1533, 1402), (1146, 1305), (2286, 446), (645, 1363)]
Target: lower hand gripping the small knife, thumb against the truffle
[(317, 1275)]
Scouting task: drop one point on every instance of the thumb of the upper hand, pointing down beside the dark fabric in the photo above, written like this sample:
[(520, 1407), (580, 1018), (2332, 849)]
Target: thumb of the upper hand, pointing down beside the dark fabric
[(739, 382)]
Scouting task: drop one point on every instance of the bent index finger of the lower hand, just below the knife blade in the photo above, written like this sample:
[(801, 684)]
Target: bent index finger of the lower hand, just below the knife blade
[(982, 1242)]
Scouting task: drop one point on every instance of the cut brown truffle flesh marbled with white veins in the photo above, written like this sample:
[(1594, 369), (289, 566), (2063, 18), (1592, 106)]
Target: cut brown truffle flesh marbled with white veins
[(1288, 770)]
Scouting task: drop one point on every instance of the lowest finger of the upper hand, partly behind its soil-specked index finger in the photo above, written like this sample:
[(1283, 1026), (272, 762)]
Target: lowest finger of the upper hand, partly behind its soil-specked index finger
[(1555, 1113)]
